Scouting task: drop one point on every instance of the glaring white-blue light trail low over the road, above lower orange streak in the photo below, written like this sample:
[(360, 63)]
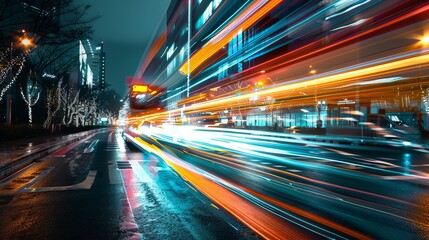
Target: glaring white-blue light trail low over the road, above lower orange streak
[(202, 142)]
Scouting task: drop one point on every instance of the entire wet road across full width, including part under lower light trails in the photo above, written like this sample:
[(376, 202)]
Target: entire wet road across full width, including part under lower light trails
[(103, 188)]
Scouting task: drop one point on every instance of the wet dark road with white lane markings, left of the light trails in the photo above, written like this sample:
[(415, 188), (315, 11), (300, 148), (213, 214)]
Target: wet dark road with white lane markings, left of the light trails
[(112, 191)]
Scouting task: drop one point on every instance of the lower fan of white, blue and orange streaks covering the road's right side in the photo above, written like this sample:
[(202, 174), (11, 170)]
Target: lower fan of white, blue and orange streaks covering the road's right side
[(317, 190)]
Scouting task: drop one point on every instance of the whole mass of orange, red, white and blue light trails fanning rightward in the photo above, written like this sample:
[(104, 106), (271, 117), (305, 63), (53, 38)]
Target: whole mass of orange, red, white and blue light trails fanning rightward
[(369, 55)]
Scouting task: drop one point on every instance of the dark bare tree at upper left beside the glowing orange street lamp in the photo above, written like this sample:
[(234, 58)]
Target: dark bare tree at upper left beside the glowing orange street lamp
[(55, 27)]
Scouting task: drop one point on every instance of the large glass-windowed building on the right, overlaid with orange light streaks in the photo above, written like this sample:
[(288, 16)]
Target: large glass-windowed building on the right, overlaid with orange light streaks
[(219, 48)]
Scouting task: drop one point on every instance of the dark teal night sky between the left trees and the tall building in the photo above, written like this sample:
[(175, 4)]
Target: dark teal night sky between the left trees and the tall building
[(126, 27)]
